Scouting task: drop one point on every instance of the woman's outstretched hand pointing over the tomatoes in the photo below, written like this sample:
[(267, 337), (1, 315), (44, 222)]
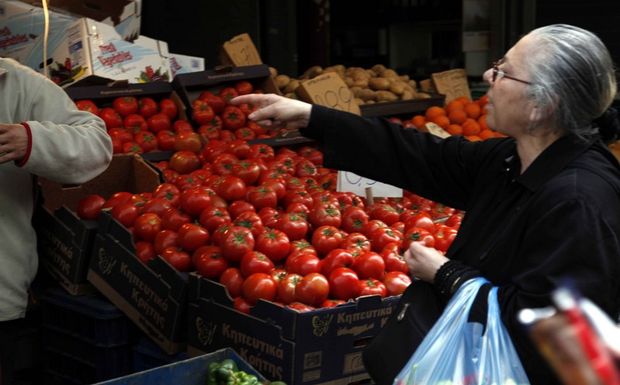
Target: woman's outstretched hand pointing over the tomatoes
[(275, 110)]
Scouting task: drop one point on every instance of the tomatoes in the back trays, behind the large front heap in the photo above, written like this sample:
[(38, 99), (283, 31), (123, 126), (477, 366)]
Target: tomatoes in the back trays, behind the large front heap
[(139, 125)]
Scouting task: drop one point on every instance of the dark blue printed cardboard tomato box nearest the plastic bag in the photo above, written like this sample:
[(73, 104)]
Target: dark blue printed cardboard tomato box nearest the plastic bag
[(318, 347)]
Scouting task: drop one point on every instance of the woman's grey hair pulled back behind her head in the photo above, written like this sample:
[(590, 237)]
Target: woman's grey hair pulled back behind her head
[(572, 76)]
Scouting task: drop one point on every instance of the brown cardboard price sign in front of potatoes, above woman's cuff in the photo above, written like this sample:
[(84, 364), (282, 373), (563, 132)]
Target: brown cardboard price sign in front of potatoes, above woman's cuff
[(328, 90)]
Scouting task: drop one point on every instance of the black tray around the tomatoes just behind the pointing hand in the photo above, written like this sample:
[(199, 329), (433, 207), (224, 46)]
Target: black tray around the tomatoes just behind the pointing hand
[(190, 85)]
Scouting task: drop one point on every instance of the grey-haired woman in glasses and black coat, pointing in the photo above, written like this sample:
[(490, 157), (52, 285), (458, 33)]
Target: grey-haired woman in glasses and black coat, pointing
[(541, 204)]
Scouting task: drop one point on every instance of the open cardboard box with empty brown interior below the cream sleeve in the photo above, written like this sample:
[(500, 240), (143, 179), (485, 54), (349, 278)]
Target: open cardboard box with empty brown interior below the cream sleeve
[(64, 240)]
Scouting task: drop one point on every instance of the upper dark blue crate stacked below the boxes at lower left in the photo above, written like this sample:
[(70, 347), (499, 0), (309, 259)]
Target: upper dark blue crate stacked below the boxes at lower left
[(90, 318)]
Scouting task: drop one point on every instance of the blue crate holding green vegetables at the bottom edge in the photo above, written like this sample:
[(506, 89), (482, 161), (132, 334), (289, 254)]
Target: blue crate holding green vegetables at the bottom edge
[(193, 371)]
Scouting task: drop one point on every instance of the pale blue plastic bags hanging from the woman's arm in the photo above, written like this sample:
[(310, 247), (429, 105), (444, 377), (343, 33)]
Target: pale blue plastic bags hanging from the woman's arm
[(458, 352)]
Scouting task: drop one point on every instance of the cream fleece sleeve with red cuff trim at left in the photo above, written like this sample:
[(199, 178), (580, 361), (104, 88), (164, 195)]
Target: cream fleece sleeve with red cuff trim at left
[(64, 144)]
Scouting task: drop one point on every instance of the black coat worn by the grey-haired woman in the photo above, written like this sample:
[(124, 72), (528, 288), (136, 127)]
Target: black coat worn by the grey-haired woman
[(525, 233)]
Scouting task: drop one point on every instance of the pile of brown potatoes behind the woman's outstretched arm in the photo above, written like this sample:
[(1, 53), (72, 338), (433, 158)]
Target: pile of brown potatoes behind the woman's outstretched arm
[(373, 85)]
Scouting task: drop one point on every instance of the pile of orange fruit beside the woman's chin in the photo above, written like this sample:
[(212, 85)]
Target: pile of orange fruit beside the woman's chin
[(459, 117)]
